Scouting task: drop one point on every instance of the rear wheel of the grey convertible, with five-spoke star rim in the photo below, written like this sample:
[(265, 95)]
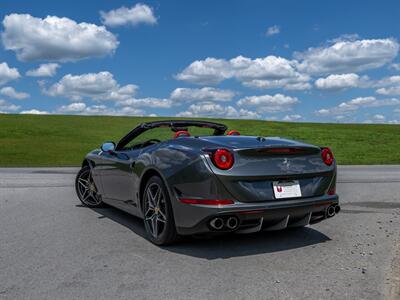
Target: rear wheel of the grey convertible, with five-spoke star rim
[(157, 213)]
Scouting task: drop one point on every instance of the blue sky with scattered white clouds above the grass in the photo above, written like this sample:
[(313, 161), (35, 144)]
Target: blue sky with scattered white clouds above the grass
[(286, 60)]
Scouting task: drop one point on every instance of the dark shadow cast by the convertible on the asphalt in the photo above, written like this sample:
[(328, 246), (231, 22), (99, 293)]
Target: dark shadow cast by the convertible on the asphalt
[(225, 246)]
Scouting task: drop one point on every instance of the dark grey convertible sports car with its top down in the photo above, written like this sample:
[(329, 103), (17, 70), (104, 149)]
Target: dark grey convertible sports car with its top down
[(213, 182)]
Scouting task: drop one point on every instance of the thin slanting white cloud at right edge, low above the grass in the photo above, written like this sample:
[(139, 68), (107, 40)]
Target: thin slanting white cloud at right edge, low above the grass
[(353, 105)]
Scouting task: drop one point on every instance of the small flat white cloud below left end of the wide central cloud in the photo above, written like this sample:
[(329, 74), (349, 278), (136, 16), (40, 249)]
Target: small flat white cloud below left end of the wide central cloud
[(203, 94)]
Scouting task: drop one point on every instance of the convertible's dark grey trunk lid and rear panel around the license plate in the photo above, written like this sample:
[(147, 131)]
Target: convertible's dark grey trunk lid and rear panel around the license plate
[(261, 161)]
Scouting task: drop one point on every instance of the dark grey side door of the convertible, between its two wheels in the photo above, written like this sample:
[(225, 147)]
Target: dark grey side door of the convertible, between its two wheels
[(118, 178)]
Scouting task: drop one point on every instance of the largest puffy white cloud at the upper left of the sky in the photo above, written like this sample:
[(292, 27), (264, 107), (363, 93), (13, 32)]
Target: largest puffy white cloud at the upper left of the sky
[(55, 39)]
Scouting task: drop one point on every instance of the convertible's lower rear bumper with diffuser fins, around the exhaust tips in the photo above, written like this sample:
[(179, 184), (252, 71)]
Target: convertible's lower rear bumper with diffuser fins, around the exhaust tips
[(253, 217)]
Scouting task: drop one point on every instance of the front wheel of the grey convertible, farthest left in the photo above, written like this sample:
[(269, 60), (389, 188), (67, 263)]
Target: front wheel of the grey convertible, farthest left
[(86, 189)]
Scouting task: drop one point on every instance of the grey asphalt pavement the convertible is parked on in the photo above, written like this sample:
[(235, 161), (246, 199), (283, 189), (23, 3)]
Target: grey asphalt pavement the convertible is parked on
[(53, 248)]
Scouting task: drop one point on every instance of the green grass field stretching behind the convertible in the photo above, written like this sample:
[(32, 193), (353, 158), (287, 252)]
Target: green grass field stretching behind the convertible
[(54, 140)]
